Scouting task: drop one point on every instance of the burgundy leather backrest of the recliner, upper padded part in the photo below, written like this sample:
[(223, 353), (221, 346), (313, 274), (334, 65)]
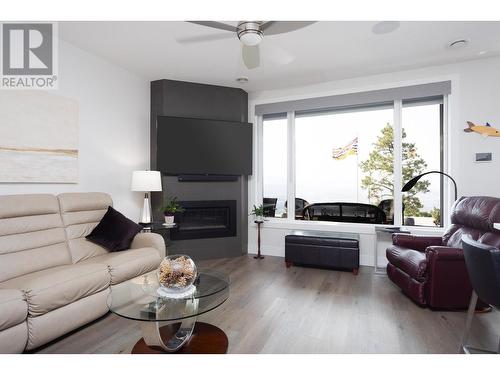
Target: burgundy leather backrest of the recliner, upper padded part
[(474, 217)]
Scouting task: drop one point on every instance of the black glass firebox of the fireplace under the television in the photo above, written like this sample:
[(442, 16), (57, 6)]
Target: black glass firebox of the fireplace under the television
[(205, 219)]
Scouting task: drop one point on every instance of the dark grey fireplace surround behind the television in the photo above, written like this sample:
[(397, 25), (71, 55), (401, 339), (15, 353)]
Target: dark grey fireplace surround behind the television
[(195, 100)]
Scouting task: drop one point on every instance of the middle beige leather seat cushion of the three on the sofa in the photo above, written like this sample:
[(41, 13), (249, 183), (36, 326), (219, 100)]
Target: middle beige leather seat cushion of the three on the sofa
[(52, 288)]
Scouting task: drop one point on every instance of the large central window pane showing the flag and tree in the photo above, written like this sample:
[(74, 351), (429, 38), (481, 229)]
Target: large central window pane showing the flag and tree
[(345, 157)]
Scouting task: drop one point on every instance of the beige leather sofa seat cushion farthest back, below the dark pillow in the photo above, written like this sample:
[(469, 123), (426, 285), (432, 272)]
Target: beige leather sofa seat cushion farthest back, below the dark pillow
[(127, 264)]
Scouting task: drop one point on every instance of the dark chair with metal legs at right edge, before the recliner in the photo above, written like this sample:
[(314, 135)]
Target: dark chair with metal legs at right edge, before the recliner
[(483, 266)]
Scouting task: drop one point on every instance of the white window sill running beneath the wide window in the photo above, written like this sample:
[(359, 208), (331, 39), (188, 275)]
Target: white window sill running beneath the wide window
[(359, 228)]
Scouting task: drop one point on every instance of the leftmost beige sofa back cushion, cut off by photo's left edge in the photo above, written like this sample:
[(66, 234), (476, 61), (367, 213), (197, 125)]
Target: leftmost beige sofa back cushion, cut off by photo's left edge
[(32, 237)]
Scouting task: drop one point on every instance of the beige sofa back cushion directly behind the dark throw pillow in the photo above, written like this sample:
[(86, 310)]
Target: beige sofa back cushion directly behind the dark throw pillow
[(81, 212)]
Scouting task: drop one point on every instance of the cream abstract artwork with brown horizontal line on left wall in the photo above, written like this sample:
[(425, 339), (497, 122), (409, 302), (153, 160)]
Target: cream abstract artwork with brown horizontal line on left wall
[(38, 137)]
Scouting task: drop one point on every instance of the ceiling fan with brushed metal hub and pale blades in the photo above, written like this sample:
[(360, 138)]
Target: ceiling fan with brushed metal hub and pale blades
[(251, 34)]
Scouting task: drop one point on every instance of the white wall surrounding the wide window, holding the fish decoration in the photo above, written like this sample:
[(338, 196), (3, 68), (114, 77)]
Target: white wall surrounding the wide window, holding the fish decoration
[(475, 97)]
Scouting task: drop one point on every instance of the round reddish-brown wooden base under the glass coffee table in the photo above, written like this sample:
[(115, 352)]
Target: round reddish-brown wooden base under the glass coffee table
[(198, 338)]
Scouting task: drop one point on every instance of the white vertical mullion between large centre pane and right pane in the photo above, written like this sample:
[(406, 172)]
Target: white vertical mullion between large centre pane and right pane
[(398, 162)]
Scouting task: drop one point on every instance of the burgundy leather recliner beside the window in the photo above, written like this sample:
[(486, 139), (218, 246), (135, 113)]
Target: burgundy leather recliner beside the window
[(431, 270)]
